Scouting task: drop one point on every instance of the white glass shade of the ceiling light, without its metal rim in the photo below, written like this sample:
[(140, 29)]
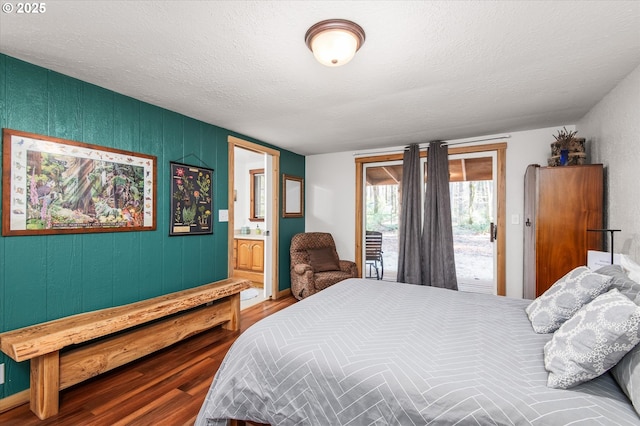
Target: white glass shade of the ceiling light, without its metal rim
[(334, 47)]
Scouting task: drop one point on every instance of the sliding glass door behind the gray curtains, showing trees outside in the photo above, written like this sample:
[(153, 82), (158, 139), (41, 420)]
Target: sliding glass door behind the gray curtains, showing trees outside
[(473, 186)]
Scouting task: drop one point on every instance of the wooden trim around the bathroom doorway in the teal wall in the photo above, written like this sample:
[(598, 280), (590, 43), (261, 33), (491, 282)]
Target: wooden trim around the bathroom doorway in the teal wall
[(273, 235)]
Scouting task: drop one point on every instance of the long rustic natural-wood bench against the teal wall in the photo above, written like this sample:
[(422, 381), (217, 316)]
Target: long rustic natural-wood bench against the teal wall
[(124, 333)]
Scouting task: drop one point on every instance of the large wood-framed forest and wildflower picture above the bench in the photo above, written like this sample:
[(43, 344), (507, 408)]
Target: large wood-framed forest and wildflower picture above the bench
[(58, 186)]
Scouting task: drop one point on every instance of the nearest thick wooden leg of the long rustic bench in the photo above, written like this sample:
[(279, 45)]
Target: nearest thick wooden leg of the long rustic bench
[(45, 382)]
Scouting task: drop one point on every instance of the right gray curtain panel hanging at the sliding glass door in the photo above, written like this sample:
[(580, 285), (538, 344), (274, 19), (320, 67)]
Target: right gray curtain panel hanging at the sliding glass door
[(438, 266)]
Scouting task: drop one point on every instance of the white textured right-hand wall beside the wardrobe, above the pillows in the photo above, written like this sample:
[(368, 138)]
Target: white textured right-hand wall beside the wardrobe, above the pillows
[(612, 129)]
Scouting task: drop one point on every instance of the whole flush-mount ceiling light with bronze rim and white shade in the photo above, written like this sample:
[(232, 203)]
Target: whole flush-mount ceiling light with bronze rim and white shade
[(334, 42)]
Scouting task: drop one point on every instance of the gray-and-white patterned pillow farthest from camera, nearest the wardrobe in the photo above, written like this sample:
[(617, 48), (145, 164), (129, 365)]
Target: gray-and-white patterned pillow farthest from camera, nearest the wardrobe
[(565, 297)]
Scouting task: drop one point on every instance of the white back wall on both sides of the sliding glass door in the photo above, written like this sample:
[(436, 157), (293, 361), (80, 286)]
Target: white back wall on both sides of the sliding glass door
[(330, 196)]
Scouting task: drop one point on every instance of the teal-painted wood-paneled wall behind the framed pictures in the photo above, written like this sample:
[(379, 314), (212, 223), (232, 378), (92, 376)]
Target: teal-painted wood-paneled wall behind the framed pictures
[(48, 277)]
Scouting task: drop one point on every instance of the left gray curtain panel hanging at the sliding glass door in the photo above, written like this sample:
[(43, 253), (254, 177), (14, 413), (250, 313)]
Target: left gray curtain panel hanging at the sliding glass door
[(409, 250)]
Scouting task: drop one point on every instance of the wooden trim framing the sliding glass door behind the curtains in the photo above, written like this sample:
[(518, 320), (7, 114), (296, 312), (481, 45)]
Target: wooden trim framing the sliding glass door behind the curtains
[(501, 151)]
